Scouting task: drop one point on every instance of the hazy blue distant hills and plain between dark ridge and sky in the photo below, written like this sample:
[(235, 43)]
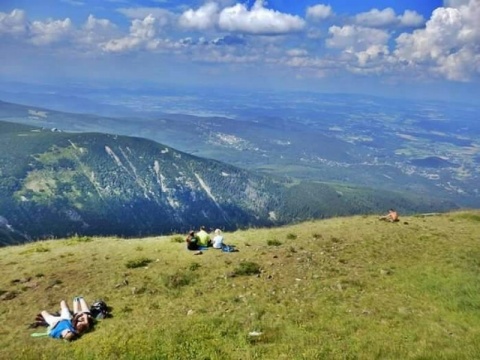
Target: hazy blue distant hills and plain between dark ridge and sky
[(420, 147)]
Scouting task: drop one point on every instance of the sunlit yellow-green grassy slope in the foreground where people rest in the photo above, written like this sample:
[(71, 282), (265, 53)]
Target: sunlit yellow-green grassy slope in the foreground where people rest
[(340, 288)]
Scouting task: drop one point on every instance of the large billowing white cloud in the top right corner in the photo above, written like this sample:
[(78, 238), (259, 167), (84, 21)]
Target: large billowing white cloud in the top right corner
[(449, 44)]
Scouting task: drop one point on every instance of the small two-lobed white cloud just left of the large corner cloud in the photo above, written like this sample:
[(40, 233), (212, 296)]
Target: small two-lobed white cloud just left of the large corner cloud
[(388, 18)]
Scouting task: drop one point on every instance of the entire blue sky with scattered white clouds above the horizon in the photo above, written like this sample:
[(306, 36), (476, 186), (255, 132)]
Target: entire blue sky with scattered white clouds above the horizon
[(424, 48)]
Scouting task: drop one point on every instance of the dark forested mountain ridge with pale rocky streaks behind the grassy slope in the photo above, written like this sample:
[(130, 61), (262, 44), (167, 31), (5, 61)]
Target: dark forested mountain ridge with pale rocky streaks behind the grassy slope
[(55, 184)]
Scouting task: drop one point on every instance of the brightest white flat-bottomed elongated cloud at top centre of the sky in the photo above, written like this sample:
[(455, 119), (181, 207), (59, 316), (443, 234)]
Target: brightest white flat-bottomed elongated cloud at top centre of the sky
[(258, 20)]
